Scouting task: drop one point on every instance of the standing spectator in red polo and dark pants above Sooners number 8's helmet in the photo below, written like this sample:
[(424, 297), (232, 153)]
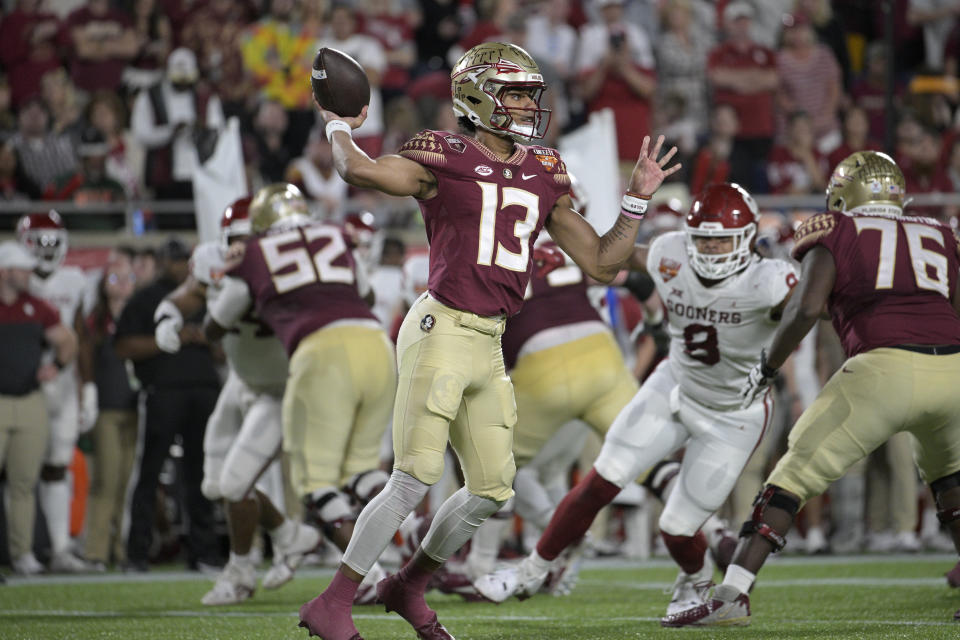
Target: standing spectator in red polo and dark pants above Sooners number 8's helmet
[(743, 74)]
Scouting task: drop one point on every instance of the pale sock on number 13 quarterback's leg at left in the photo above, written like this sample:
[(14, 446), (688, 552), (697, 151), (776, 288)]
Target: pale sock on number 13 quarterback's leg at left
[(381, 518)]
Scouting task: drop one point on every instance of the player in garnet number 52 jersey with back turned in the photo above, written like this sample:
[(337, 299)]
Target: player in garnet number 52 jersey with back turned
[(301, 279)]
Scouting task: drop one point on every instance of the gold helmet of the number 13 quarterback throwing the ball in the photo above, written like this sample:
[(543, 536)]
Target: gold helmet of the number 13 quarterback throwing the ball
[(478, 82)]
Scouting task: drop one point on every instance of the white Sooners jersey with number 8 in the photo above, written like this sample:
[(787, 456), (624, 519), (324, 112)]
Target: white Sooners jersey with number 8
[(716, 333)]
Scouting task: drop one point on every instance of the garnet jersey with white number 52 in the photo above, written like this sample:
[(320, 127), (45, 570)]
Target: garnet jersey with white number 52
[(301, 279)]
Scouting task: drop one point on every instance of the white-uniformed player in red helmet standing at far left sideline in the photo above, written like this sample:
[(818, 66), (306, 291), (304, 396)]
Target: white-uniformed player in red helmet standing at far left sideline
[(63, 287)]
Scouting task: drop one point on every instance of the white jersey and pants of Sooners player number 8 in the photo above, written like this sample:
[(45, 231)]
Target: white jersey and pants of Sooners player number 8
[(691, 400)]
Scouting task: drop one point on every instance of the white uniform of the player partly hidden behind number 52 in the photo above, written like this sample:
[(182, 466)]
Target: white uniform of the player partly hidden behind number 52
[(244, 431)]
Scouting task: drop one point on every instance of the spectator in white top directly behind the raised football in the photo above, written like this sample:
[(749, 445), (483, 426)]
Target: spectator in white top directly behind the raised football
[(344, 35)]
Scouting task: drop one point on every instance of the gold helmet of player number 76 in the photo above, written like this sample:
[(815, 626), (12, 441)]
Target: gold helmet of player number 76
[(867, 179)]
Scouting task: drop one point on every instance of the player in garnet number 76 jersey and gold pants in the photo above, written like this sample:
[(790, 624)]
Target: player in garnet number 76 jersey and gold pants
[(898, 321)]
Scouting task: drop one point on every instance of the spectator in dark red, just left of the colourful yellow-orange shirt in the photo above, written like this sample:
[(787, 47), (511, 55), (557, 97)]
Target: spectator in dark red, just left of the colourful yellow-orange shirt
[(214, 32)]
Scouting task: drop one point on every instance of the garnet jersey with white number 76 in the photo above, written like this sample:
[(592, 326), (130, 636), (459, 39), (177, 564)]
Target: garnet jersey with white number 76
[(896, 276)]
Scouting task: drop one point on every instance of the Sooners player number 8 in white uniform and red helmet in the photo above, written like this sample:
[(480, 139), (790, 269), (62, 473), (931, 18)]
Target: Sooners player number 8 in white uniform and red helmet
[(723, 301)]
